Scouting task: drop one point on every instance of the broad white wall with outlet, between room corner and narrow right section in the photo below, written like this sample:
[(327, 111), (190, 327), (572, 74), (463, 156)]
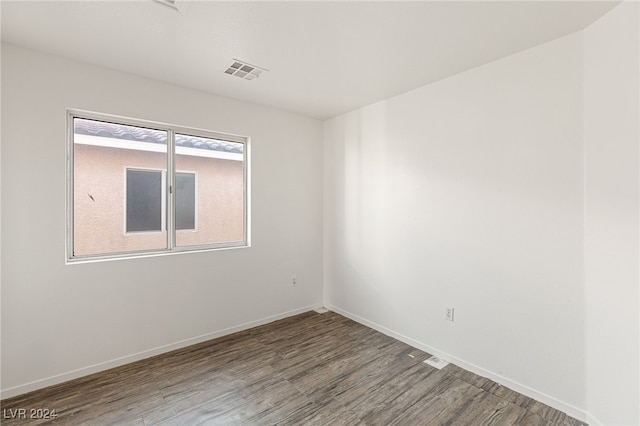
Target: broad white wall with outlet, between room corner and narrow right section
[(468, 193)]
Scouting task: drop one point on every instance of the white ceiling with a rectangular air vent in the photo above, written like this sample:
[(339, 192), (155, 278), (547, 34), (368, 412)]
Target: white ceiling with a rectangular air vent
[(325, 58)]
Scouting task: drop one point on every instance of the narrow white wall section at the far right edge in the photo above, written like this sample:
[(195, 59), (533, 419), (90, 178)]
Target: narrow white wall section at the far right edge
[(612, 138)]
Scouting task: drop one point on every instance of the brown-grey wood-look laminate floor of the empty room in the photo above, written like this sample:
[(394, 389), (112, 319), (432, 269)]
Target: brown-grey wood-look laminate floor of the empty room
[(311, 369)]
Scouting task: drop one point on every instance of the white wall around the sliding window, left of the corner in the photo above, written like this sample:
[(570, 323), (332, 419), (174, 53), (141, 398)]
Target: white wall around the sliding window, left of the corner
[(63, 321)]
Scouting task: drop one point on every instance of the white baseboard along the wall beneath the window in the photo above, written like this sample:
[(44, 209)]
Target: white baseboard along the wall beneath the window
[(84, 371)]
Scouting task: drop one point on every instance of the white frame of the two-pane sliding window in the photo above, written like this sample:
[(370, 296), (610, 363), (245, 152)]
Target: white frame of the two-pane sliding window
[(172, 150)]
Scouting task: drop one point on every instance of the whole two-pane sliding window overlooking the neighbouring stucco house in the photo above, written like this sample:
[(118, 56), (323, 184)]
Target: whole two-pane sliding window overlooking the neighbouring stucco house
[(138, 187)]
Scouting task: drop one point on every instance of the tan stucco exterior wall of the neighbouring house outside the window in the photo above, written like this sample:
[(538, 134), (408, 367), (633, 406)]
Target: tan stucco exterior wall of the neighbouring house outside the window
[(99, 224)]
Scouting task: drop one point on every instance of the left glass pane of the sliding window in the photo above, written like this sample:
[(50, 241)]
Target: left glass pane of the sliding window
[(102, 154)]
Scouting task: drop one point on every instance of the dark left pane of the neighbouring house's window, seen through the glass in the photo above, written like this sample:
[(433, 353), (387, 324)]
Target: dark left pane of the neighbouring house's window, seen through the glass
[(144, 200)]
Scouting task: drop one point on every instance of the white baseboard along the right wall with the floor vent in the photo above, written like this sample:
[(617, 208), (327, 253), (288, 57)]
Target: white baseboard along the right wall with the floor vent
[(520, 388)]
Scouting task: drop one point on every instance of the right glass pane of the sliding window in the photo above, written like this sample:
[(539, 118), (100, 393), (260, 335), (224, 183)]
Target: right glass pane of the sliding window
[(218, 190)]
